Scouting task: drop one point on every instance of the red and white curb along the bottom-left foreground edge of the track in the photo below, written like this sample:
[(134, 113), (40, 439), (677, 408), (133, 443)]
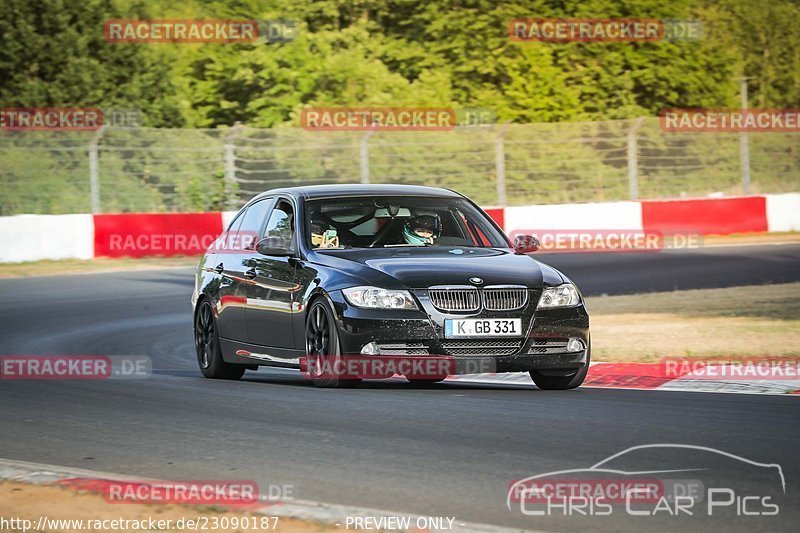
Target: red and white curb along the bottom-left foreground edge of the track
[(332, 515)]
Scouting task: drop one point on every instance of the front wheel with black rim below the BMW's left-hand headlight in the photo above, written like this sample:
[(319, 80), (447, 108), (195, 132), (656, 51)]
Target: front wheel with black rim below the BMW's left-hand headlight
[(323, 350)]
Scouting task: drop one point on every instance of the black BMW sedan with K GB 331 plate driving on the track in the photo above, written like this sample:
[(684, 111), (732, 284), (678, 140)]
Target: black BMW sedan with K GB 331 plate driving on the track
[(349, 282)]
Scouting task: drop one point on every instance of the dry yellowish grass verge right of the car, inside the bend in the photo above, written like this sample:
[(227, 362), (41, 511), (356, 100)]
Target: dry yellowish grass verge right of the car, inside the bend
[(745, 321)]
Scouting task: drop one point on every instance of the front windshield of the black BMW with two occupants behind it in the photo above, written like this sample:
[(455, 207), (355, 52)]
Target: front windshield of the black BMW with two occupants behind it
[(382, 222)]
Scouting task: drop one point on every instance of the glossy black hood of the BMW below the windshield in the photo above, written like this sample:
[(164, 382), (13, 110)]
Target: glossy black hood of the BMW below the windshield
[(418, 268)]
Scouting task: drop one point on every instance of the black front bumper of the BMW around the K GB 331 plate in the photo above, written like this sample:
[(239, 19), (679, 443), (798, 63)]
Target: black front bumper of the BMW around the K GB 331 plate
[(420, 333)]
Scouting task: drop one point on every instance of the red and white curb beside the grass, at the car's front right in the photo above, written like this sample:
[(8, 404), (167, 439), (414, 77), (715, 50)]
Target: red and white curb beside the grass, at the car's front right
[(647, 376)]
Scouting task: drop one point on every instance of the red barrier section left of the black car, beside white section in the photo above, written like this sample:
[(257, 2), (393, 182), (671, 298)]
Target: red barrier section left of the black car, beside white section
[(161, 234)]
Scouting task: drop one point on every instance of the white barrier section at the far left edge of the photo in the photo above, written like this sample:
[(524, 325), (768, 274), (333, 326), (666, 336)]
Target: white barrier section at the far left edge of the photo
[(35, 237)]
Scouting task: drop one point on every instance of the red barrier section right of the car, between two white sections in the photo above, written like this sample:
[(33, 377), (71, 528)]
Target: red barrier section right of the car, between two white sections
[(717, 216)]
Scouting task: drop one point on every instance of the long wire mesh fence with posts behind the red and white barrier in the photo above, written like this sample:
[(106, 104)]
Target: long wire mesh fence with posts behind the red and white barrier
[(119, 169)]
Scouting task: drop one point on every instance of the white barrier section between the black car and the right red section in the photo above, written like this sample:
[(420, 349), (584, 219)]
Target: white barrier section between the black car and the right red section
[(600, 216)]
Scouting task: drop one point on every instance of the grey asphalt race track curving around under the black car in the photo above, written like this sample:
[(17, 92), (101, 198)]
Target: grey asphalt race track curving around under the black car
[(448, 450)]
